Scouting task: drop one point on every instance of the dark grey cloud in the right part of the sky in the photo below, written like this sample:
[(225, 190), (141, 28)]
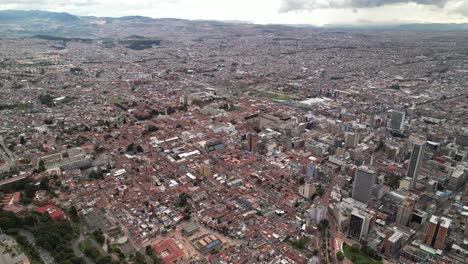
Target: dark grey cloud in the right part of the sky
[(297, 5)]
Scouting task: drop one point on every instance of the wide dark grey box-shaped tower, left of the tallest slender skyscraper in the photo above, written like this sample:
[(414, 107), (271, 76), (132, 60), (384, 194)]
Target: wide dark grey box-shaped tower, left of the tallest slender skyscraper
[(364, 181)]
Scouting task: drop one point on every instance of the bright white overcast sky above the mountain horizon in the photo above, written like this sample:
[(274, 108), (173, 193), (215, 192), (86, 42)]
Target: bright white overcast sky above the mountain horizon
[(316, 12)]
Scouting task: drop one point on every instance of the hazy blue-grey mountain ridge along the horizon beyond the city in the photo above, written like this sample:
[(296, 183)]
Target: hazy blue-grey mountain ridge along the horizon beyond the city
[(17, 23)]
